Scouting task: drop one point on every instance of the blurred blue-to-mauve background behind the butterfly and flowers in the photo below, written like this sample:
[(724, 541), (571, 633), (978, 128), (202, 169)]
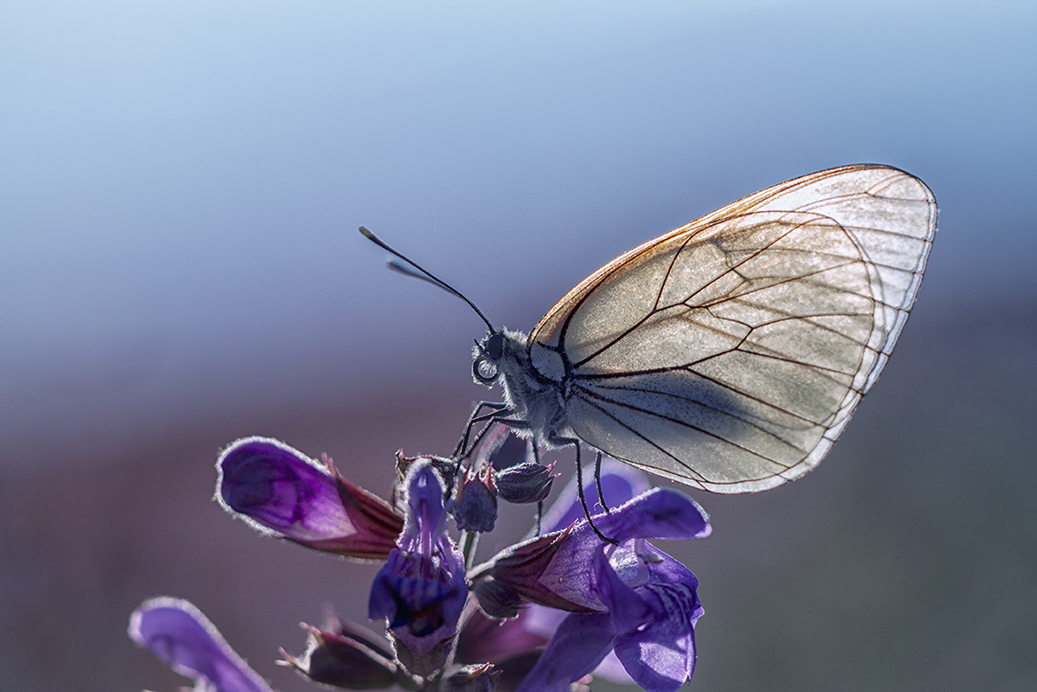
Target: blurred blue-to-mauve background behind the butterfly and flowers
[(180, 189)]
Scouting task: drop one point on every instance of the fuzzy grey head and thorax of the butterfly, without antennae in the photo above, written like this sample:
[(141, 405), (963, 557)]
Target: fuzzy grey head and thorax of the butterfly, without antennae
[(503, 358)]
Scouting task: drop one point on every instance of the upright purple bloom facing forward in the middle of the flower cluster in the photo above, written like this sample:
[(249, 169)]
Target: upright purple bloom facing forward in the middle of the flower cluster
[(422, 591)]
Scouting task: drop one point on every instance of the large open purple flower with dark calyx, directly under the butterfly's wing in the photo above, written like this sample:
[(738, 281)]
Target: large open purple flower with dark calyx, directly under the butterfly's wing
[(630, 597)]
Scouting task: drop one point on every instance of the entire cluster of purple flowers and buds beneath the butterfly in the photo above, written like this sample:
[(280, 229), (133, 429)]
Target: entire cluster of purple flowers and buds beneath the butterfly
[(552, 611)]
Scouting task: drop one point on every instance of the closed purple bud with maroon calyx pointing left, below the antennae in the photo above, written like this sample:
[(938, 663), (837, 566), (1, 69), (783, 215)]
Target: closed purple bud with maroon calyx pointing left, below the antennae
[(281, 491)]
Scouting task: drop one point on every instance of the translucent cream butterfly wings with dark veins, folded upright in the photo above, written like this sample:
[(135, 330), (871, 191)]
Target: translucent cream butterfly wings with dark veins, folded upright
[(731, 353)]
